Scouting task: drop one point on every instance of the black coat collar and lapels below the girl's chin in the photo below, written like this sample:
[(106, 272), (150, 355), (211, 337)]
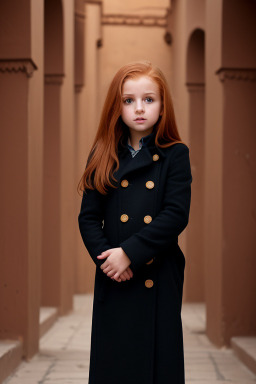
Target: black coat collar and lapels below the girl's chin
[(144, 157)]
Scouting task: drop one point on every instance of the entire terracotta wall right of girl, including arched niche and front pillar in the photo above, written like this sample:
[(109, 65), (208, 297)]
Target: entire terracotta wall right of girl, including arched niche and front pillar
[(214, 88)]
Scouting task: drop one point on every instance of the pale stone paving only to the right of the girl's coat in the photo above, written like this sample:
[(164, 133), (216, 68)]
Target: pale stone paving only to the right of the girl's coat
[(206, 364)]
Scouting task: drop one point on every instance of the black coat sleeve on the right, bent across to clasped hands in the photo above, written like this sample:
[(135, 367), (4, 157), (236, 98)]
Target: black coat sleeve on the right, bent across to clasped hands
[(172, 219)]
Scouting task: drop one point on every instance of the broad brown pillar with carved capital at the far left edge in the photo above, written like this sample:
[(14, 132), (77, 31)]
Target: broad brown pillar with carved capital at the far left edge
[(20, 204)]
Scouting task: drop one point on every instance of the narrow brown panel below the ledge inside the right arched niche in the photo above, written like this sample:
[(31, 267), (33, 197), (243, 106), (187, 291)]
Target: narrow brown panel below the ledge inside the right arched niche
[(195, 271)]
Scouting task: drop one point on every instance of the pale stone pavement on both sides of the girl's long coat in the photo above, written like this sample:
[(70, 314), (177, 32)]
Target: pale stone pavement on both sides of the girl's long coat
[(65, 349)]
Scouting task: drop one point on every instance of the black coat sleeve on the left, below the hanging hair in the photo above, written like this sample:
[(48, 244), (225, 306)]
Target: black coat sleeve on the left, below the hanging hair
[(90, 224)]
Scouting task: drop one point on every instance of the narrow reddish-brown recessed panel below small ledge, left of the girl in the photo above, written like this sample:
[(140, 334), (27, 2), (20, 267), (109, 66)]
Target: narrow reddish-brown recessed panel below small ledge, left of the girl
[(51, 236)]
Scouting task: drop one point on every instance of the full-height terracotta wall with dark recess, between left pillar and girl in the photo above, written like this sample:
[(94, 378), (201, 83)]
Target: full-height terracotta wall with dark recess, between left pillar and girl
[(59, 222)]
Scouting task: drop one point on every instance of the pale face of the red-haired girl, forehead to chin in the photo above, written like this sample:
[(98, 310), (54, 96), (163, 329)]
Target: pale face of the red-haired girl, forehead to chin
[(141, 104)]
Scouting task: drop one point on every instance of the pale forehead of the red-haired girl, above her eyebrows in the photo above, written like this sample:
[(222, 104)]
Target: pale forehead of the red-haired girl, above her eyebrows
[(141, 83)]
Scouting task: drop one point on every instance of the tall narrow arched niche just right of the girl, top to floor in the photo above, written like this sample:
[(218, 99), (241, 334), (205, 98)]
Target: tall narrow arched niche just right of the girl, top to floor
[(195, 81)]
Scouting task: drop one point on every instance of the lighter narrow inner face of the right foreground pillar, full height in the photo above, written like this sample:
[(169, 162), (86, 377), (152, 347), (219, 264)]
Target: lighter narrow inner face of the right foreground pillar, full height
[(214, 174)]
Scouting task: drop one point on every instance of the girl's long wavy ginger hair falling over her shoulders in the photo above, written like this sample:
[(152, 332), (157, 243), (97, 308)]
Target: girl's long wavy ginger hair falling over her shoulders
[(103, 157)]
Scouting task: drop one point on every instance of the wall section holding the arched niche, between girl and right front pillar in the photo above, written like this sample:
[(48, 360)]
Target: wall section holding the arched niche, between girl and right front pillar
[(187, 26)]
